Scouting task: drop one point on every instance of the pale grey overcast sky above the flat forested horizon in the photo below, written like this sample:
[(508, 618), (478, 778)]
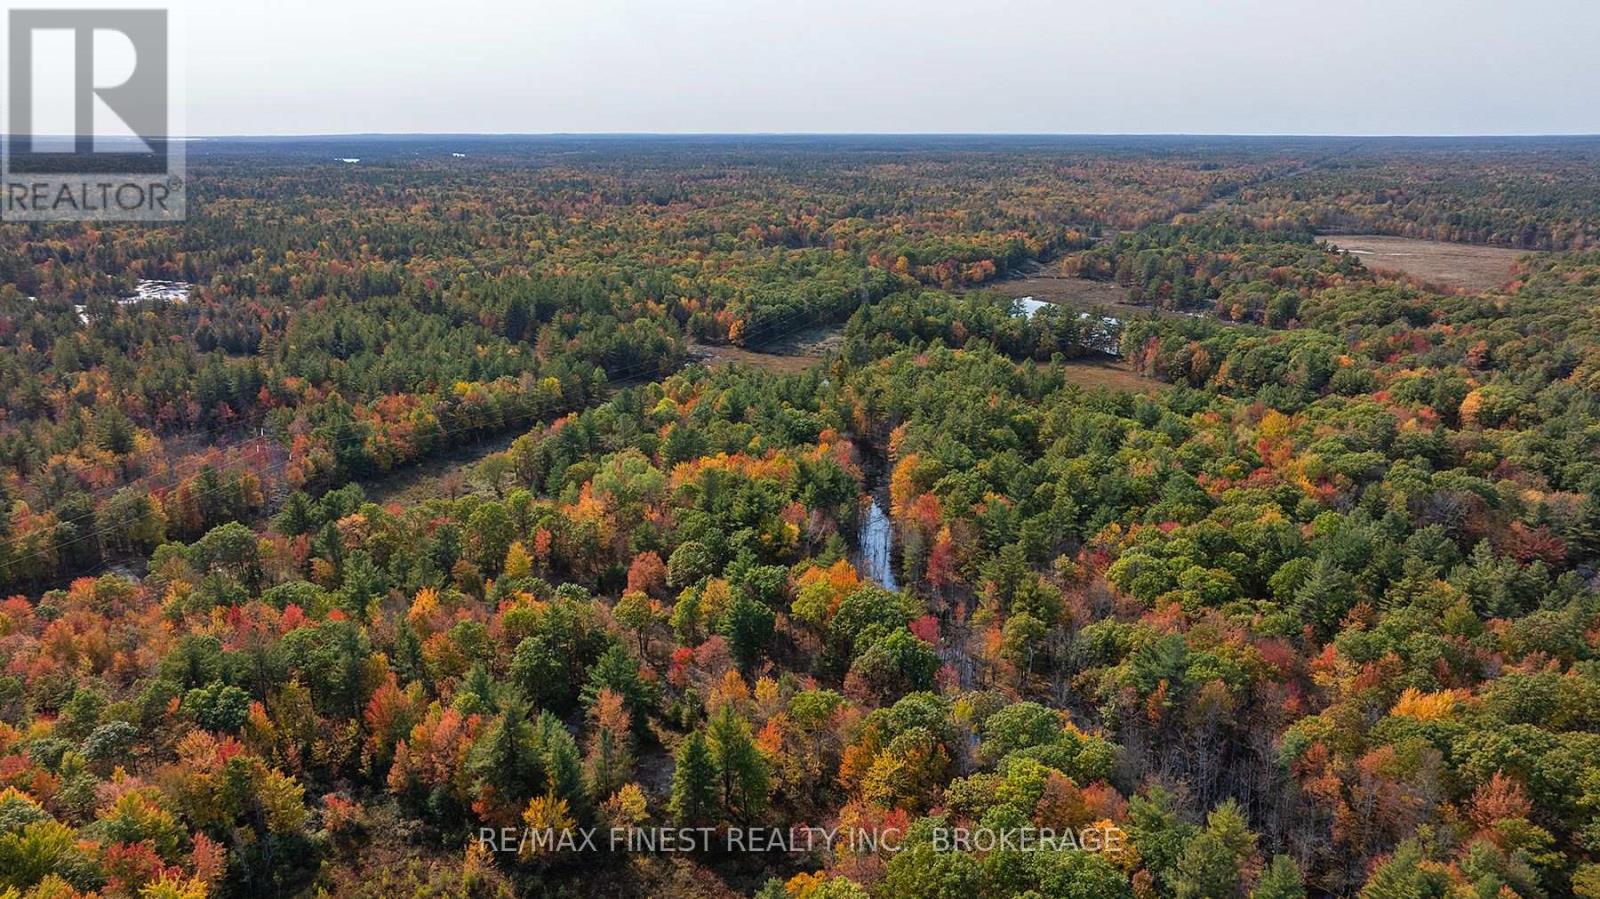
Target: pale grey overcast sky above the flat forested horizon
[(863, 66)]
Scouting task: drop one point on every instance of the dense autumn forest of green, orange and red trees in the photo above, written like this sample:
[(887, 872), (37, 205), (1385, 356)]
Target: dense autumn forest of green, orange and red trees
[(1306, 604)]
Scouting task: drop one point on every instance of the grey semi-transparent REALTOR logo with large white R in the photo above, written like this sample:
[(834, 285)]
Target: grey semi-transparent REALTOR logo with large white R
[(89, 127)]
